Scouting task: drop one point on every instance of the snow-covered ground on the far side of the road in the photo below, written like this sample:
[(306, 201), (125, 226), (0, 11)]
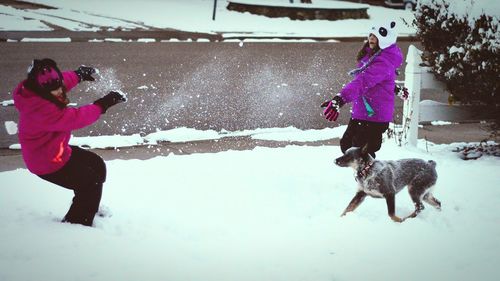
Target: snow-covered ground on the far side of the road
[(192, 15)]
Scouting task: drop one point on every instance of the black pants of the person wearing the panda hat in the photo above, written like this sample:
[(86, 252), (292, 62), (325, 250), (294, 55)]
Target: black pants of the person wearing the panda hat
[(360, 132)]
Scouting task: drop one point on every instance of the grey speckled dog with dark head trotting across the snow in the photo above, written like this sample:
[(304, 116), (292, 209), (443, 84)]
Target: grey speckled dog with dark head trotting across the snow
[(384, 179)]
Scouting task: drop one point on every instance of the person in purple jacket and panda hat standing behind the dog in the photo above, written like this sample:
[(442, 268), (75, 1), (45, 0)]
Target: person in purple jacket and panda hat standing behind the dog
[(371, 91)]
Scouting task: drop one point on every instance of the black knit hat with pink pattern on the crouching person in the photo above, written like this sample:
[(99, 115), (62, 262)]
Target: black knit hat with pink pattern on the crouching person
[(44, 75)]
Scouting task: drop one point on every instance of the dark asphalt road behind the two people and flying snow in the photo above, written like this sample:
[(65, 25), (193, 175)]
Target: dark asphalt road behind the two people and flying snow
[(199, 85)]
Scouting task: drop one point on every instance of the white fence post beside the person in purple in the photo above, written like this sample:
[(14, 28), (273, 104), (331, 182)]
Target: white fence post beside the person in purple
[(413, 79)]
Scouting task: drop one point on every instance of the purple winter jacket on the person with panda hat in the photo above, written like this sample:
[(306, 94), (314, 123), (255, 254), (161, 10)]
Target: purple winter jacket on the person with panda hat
[(376, 84)]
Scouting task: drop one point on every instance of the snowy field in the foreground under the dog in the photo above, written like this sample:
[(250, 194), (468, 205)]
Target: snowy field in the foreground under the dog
[(264, 214)]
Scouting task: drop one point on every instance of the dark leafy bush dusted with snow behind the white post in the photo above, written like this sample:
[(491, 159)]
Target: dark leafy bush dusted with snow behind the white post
[(461, 43)]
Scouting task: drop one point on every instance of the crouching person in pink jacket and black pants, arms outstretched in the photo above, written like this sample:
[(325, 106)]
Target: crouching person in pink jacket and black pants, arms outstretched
[(45, 125)]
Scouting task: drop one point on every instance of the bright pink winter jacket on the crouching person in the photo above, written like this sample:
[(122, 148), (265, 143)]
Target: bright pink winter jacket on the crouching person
[(45, 129)]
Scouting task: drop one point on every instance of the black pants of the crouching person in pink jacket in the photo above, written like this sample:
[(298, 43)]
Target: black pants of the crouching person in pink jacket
[(84, 173)]
